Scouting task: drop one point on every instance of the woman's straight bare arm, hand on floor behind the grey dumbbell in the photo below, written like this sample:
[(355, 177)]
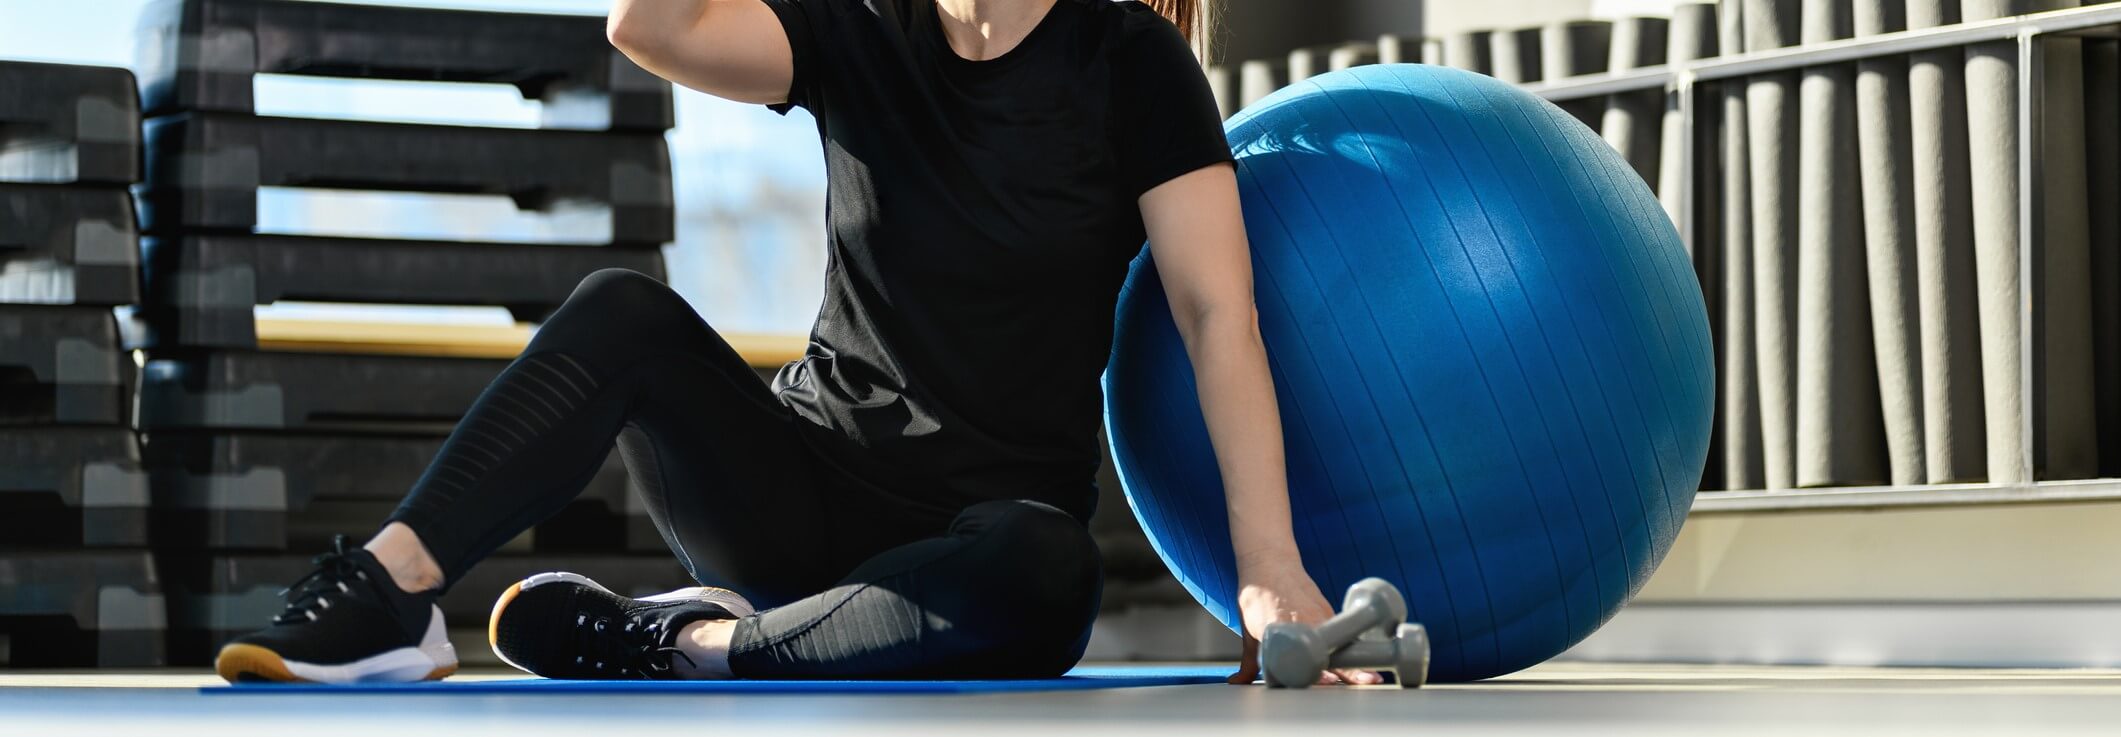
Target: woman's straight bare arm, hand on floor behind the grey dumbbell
[(1197, 237)]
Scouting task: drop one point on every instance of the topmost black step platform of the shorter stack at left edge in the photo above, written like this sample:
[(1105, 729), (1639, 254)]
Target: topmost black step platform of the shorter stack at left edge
[(69, 124)]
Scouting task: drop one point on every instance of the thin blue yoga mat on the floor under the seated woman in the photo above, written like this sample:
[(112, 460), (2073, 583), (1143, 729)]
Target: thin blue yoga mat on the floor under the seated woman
[(1081, 679)]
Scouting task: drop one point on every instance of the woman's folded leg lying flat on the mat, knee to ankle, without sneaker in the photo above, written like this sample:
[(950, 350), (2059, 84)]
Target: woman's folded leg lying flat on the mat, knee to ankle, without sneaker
[(1009, 592)]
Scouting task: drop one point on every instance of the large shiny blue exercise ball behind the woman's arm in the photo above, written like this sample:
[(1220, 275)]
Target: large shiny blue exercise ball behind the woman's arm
[(1490, 354)]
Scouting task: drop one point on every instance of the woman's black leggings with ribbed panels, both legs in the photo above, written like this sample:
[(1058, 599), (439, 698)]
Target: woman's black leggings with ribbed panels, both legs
[(858, 581)]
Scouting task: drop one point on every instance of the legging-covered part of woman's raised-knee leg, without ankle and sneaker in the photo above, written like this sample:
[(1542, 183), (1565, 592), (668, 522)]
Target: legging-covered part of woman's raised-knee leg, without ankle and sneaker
[(716, 456)]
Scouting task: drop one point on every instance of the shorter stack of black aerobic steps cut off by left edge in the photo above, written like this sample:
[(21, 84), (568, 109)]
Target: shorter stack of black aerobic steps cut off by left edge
[(77, 585)]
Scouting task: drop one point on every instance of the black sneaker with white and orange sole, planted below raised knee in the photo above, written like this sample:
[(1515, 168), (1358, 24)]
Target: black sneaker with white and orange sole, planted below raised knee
[(345, 623)]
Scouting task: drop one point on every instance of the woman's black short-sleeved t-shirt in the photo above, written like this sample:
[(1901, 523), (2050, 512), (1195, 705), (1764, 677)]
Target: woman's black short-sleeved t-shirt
[(981, 218)]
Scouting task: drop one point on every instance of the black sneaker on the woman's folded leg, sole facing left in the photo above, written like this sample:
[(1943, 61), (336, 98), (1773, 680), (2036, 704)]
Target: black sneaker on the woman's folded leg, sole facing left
[(565, 625)]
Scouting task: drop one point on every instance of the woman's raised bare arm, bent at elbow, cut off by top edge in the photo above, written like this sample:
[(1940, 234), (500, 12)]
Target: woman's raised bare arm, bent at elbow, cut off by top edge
[(731, 50)]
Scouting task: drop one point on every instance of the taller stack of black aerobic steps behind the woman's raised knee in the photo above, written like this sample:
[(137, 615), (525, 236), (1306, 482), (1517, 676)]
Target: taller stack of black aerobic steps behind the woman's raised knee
[(262, 447)]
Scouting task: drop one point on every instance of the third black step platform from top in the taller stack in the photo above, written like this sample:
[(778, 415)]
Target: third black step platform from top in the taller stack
[(203, 290)]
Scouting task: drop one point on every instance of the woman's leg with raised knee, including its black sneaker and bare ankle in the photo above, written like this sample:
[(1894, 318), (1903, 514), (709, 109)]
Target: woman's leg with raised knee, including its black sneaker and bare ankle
[(724, 473)]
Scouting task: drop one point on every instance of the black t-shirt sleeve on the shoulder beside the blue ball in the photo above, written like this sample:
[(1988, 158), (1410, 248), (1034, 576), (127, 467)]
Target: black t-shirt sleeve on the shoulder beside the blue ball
[(1168, 118)]
